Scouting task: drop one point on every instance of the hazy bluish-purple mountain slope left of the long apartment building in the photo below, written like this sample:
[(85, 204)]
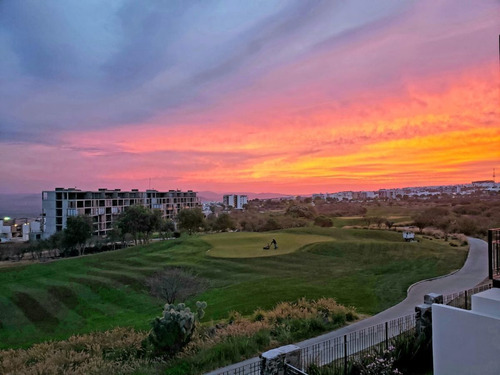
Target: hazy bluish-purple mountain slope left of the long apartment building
[(20, 205)]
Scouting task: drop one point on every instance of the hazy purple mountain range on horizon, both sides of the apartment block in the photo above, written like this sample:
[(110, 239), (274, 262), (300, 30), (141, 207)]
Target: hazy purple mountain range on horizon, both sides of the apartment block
[(30, 205)]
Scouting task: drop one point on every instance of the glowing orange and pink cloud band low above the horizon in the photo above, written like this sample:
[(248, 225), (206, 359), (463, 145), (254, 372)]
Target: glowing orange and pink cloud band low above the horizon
[(431, 133)]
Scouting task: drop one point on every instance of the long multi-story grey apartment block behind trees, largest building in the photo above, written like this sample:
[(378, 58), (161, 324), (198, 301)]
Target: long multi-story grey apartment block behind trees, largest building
[(104, 205)]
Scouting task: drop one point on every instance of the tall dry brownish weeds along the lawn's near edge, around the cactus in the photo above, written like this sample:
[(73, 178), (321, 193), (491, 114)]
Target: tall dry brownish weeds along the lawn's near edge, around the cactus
[(118, 351)]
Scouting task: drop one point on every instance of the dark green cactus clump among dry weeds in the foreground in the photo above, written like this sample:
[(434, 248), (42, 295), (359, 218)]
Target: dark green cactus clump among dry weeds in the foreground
[(173, 330)]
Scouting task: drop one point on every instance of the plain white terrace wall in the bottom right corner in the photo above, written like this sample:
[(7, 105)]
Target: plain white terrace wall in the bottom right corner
[(467, 342)]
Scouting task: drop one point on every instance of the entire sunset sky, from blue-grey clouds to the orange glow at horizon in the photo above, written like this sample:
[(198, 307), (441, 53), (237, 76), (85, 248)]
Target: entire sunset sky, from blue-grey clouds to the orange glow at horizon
[(291, 97)]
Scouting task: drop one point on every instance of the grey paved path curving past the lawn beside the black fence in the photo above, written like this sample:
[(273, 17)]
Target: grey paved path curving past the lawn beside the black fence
[(474, 271)]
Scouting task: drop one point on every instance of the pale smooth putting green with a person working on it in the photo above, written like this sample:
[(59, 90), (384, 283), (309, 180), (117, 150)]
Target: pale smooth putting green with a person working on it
[(250, 245)]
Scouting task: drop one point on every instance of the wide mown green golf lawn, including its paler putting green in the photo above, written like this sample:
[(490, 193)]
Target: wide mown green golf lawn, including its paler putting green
[(366, 269)]
